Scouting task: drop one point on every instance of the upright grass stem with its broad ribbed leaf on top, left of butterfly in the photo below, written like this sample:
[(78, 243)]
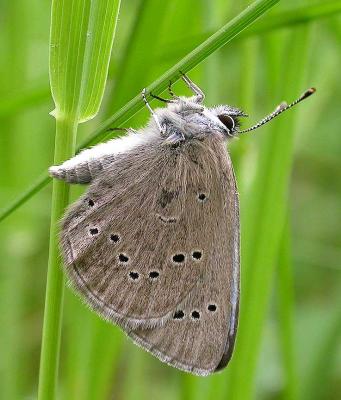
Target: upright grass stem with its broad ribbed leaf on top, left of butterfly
[(77, 36)]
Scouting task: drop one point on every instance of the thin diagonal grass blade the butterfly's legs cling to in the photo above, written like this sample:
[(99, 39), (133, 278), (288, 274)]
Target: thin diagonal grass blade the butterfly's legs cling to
[(217, 40)]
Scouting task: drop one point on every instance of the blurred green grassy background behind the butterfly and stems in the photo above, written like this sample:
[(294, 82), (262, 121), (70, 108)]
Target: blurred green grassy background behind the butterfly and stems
[(289, 178)]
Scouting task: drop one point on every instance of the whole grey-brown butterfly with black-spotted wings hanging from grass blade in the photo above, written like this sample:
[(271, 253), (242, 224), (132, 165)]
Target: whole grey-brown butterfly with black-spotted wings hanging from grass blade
[(153, 245)]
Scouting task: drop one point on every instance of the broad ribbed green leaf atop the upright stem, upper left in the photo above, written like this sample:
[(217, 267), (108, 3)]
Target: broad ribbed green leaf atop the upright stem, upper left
[(78, 78)]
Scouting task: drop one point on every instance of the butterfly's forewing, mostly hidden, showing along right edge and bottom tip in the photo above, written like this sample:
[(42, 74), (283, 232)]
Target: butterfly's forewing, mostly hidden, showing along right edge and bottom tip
[(200, 336)]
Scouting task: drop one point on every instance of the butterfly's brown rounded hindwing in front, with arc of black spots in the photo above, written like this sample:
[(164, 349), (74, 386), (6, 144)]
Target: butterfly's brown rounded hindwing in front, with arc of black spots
[(136, 244)]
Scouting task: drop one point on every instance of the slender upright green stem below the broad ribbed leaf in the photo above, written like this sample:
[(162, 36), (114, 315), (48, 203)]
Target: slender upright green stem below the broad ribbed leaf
[(64, 148)]
